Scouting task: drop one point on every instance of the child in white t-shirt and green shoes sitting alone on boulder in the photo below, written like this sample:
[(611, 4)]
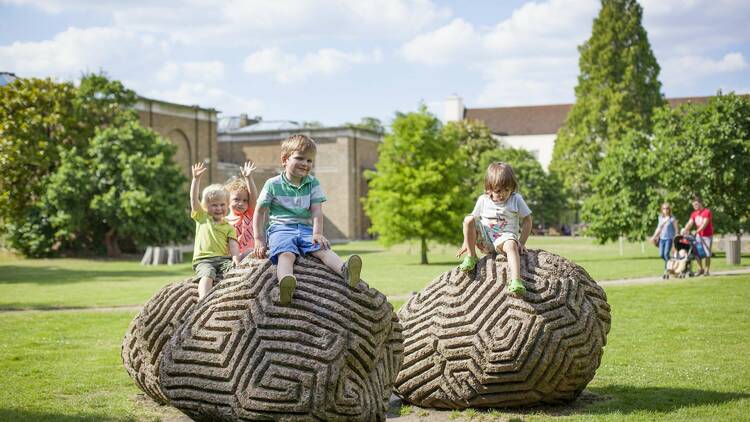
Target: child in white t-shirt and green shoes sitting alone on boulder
[(500, 222)]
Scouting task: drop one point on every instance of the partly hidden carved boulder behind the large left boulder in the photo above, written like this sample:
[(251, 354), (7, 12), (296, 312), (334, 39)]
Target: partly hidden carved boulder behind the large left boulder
[(151, 329)]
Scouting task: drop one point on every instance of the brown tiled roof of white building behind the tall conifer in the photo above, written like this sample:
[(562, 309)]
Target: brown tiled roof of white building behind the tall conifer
[(537, 120)]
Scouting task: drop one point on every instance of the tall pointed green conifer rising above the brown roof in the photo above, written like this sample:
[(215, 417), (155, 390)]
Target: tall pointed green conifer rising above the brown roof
[(618, 89)]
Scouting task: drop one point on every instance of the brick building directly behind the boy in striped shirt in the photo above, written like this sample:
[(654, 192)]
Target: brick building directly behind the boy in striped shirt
[(344, 153)]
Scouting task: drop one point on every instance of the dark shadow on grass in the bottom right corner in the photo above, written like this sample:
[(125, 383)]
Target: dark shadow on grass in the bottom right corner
[(631, 399)]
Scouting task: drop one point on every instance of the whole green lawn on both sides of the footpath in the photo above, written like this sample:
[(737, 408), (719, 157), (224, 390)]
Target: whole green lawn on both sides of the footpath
[(676, 351)]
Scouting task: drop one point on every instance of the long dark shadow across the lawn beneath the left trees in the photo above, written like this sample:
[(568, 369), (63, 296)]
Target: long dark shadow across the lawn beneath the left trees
[(11, 274)]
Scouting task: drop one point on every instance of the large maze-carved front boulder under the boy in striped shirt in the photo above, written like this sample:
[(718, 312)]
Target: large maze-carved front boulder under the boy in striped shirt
[(333, 354)]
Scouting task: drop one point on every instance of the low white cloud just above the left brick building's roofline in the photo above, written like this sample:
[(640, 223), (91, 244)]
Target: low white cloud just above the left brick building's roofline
[(207, 96)]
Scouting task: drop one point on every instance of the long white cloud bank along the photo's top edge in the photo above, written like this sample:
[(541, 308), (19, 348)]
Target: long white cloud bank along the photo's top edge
[(255, 22)]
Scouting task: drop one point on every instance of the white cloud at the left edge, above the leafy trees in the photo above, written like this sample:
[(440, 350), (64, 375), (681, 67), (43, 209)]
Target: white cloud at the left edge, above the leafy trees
[(76, 50)]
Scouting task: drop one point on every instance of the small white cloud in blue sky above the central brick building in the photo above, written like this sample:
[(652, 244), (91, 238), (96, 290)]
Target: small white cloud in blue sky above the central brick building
[(288, 67)]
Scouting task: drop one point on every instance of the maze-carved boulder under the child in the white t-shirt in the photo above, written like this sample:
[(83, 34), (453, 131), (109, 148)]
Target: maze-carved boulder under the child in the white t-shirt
[(468, 343)]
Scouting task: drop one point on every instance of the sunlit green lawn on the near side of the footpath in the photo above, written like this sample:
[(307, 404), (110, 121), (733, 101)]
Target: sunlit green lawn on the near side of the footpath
[(677, 351)]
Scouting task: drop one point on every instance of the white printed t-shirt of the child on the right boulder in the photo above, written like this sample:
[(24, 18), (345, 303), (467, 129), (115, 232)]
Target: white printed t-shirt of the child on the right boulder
[(501, 217)]
